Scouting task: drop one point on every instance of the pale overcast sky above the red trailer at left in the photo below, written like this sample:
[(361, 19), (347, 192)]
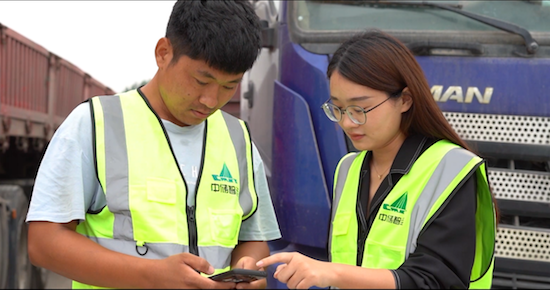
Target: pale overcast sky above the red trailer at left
[(113, 41)]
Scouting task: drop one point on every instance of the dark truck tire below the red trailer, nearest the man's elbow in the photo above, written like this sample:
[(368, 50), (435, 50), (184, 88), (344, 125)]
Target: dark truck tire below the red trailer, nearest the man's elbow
[(20, 268)]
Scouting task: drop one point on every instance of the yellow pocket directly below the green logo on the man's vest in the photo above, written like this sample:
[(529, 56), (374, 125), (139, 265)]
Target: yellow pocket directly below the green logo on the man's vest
[(224, 226)]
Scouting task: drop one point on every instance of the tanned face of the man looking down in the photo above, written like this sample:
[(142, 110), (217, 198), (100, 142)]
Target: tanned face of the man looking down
[(191, 90)]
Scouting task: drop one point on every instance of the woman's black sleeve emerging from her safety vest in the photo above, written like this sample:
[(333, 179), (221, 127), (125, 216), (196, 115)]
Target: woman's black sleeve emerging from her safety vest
[(445, 252)]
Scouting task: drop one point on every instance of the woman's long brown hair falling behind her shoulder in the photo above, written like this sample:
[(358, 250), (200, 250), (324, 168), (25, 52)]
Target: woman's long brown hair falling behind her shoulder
[(379, 61)]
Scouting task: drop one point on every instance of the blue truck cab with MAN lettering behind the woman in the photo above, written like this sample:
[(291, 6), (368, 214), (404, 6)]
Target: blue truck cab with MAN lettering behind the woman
[(488, 66)]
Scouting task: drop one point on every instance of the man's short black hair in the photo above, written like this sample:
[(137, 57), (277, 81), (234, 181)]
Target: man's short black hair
[(224, 34)]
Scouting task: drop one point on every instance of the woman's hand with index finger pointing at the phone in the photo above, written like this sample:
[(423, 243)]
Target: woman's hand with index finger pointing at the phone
[(299, 271)]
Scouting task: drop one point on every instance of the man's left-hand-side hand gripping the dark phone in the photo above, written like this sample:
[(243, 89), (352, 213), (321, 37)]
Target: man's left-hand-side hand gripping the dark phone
[(180, 271)]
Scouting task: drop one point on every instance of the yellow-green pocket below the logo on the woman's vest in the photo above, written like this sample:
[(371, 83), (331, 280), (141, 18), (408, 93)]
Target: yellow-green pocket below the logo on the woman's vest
[(383, 256)]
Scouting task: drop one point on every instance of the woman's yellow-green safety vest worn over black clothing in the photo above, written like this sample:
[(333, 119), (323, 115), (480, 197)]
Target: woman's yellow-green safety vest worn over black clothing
[(407, 209)]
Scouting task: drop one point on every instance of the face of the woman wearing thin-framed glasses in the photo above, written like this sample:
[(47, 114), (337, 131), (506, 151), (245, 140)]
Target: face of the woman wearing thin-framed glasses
[(382, 123)]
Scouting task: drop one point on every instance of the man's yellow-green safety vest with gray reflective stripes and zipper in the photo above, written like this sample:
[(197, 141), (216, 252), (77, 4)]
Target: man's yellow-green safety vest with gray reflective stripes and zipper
[(147, 213)]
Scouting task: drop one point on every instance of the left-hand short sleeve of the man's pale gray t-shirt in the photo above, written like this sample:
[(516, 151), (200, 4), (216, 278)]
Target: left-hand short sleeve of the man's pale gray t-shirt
[(66, 181)]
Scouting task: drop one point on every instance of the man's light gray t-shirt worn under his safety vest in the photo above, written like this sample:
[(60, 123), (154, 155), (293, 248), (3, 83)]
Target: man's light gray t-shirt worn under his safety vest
[(66, 186)]
